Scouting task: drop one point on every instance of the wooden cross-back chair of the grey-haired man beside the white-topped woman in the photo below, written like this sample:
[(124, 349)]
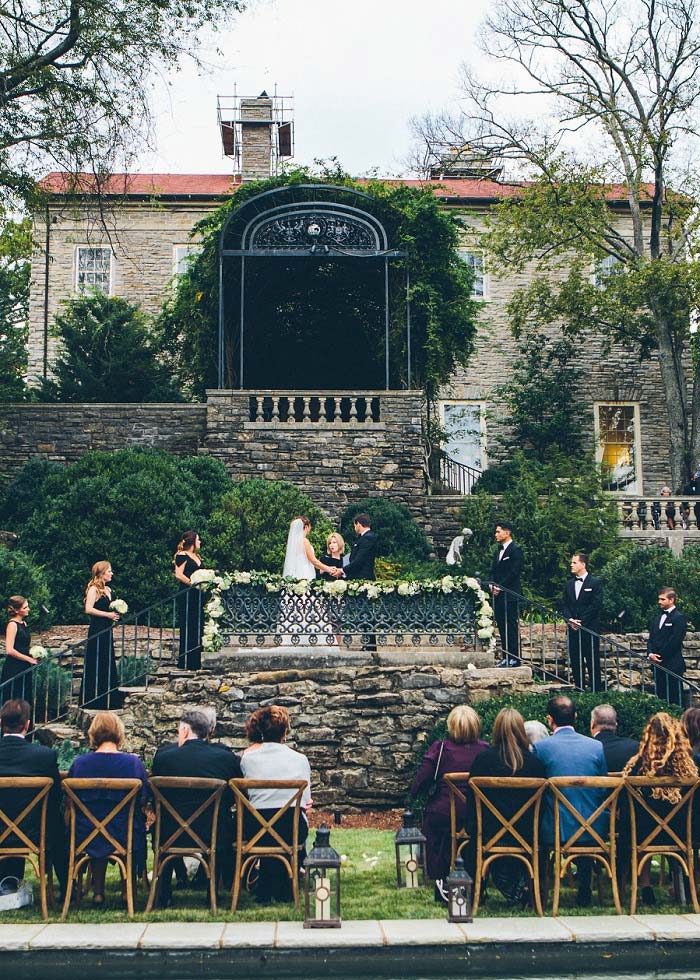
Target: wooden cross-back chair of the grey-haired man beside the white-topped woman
[(185, 840)]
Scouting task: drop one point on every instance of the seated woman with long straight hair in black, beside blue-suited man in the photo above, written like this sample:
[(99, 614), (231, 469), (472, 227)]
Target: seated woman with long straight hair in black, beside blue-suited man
[(509, 755)]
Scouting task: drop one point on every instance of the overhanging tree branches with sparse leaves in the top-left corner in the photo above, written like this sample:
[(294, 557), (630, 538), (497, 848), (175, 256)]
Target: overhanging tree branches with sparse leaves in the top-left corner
[(75, 77)]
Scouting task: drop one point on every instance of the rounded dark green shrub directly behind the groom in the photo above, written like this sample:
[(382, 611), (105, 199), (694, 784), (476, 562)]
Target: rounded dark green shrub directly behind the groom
[(400, 537)]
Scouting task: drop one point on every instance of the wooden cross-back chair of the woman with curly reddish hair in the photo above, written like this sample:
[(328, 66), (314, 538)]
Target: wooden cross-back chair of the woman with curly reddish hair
[(662, 839)]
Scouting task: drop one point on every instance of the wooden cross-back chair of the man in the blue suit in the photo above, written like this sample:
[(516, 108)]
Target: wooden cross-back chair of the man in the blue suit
[(586, 840)]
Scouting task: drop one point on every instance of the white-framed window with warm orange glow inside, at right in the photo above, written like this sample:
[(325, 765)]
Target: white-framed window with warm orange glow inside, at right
[(619, 446)]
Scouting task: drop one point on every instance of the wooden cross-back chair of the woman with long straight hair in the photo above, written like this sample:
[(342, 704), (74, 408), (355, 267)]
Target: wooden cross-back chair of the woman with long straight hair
[(515, 836)]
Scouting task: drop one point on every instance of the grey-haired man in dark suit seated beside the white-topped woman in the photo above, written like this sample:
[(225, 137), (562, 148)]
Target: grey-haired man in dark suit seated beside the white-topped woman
[(196, 757)]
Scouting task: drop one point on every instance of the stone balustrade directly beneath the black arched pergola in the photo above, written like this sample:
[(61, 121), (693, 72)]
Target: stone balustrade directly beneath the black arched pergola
[(295, 408)]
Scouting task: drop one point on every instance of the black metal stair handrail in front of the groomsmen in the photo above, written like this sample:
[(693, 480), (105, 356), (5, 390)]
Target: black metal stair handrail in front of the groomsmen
[(542, 644)]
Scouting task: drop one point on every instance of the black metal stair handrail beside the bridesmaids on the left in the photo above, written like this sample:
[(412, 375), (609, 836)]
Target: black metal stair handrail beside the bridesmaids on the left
[(143, 641)]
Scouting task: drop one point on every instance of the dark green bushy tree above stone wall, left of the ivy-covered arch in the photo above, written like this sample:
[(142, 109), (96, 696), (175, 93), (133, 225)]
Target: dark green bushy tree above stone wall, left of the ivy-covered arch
[(108, 354)]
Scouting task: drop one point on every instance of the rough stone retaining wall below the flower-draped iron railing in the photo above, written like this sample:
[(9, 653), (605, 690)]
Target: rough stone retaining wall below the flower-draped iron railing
[(359, 726)]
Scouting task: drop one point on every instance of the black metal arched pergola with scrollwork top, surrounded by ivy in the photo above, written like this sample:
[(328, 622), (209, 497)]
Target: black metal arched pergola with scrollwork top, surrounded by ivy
[(310, 221)]
